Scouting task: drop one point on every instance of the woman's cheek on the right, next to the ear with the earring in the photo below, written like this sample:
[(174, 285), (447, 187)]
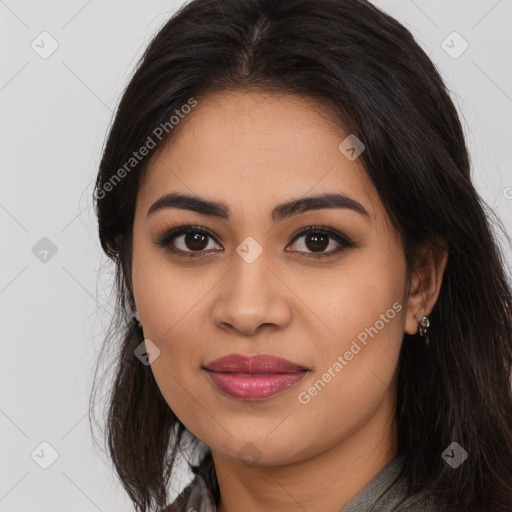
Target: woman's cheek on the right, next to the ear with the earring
[(363, 306)]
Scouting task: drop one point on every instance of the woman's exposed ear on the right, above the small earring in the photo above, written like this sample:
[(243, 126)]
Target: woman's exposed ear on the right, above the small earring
[(425, 282)]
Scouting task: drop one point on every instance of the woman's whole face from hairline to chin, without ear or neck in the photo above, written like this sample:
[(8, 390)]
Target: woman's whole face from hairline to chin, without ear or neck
[(242, 278)]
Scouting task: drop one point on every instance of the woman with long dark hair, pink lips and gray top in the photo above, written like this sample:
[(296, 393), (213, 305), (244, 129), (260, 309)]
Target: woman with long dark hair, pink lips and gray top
[(322, 315)]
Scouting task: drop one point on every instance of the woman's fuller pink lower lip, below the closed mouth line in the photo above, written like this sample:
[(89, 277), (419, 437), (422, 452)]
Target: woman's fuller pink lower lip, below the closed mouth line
[(255, 386)]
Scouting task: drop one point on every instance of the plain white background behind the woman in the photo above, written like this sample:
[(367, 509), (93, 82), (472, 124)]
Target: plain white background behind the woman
[(54, 117)]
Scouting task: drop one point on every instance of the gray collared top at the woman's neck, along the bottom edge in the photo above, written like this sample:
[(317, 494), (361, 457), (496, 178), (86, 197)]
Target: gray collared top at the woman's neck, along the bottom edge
[(387, 492)]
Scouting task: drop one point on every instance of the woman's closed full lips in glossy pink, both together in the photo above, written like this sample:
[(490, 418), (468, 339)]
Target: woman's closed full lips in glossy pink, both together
[(254, 378)]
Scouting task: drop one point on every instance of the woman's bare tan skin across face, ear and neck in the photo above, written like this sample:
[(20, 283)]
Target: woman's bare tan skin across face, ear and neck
[(253, 150)]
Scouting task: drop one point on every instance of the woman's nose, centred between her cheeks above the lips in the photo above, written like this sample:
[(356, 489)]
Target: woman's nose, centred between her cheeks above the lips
[(250, 297)]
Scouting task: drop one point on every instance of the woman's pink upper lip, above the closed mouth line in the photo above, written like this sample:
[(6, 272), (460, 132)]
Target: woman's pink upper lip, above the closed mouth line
[(262, 363)]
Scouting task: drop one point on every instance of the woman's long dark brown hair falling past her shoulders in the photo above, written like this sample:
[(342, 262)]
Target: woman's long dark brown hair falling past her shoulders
[(384, 89)]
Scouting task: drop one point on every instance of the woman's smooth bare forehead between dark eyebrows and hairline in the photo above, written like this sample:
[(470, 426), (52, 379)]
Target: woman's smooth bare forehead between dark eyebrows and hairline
[(254, 149)]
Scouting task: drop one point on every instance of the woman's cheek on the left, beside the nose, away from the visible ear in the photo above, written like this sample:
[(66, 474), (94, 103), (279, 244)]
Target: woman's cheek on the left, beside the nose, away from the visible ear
[(170, 304)]
